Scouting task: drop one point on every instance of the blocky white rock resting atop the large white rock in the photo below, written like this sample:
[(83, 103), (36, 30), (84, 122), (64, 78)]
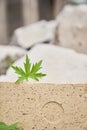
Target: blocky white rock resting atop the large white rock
[(35, 33)]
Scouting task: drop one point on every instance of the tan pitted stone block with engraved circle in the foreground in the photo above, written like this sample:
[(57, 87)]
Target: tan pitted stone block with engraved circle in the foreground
[(44, 106)]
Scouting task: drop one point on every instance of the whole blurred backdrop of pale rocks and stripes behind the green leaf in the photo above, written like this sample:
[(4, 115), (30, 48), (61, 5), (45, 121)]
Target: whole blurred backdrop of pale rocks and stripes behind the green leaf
[(57, 28)]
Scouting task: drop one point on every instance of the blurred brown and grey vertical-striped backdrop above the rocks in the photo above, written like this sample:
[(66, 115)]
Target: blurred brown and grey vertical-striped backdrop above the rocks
[(17, 13)]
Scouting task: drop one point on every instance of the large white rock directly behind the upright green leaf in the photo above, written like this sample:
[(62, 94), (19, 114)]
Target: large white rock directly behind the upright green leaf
[(60, 64)]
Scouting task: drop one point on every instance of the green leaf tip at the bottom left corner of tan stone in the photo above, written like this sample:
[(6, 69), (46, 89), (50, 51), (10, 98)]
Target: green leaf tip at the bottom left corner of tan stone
[(4, 126)]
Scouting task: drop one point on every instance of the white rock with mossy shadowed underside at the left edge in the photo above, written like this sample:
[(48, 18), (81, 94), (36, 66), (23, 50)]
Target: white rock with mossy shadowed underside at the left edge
[(9, 54)]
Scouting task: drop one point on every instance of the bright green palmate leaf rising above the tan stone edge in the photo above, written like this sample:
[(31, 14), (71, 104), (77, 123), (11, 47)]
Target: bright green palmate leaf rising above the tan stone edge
[(30, 71)]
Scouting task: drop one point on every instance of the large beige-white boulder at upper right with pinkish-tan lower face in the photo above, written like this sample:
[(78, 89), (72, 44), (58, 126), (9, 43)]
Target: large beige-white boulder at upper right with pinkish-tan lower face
[(71, 28)]
